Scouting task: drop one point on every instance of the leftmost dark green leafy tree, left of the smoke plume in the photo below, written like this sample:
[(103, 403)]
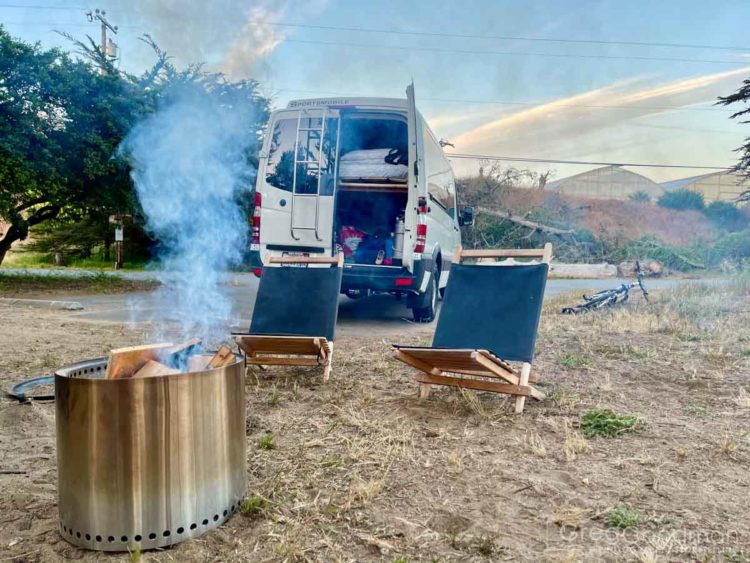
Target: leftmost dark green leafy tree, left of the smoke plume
[(61, 121)]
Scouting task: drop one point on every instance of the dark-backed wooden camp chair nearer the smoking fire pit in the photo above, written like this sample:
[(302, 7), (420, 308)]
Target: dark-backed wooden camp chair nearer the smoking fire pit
[(295, 312)]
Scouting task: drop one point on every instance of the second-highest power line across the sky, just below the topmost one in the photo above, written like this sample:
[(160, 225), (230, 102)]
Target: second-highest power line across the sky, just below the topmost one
[(407, 48)]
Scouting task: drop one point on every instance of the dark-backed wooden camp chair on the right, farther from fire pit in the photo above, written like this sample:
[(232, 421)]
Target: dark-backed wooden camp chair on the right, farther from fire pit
[(489, 317)]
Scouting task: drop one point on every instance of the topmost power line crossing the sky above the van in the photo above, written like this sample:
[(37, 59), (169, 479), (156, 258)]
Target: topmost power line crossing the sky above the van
[(449, 35)]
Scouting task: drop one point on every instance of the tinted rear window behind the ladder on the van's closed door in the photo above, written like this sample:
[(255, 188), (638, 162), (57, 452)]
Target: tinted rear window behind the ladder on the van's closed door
[(280, 164)]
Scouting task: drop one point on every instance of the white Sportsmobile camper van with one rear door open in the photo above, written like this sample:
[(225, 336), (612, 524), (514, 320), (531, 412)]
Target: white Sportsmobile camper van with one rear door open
[(368, 178)]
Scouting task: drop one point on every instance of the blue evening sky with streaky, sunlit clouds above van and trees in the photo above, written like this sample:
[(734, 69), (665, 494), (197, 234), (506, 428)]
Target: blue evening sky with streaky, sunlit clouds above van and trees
[(664, 112)]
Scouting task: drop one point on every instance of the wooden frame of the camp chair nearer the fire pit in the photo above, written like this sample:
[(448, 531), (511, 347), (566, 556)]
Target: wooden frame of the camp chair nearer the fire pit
[(266, 350)]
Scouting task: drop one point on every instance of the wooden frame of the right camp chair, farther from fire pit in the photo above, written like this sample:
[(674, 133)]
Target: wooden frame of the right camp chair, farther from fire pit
[(436, 365)]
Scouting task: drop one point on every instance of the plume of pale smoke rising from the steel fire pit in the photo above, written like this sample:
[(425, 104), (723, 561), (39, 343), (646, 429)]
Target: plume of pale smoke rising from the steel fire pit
[(190, 168)]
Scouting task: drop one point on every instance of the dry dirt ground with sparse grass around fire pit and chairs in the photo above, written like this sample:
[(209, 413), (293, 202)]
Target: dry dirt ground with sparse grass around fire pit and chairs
[(362, 471)]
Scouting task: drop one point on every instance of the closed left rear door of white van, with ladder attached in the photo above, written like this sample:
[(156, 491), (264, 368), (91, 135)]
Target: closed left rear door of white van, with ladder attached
[(298, 180)]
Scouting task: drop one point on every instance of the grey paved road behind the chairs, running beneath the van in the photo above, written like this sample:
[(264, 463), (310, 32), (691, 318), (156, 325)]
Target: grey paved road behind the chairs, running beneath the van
[(379, 314)]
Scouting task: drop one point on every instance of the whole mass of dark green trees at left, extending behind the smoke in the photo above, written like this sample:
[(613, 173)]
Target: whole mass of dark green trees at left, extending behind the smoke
[(62, 120)]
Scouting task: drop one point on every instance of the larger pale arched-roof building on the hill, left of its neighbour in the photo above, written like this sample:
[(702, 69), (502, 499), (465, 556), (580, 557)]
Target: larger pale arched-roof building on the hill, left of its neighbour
[(608, 182)]
